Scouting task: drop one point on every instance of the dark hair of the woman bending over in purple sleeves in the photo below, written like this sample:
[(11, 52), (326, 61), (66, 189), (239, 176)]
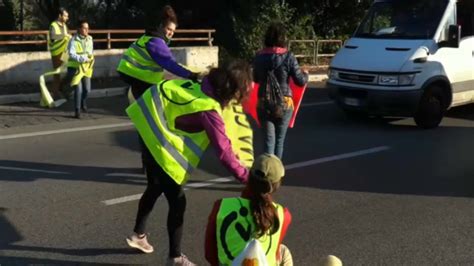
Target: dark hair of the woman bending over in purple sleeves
[(231, 82)]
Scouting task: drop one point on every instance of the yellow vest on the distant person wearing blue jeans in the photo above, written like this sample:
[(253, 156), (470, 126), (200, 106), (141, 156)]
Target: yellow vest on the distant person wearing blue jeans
[(83, 69)]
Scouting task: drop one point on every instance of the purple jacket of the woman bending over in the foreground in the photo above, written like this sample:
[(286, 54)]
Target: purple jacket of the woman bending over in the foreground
[(212, 123)]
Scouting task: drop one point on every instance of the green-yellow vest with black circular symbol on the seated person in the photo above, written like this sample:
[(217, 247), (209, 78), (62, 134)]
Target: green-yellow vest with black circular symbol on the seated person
[(235, 227)]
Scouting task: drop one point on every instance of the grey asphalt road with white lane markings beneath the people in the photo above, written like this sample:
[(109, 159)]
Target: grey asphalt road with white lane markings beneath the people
[(372, 192)]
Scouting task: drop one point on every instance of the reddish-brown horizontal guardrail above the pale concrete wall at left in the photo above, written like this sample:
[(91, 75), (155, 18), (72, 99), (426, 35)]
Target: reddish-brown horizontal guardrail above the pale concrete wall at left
[(206, 35)]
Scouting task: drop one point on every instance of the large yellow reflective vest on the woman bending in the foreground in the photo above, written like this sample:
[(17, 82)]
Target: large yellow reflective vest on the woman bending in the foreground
[(154, 115)]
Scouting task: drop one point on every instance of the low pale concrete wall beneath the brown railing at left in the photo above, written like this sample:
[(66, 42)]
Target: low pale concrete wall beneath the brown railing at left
[(26, 67)]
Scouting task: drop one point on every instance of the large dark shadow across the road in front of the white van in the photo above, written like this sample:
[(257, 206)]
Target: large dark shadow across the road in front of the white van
[(435, 162)]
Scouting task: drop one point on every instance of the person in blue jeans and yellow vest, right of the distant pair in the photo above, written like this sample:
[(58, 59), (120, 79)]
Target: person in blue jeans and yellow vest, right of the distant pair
[(80, 66)]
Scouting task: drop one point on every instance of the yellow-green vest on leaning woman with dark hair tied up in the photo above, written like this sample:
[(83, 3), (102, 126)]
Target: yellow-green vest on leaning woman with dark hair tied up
[(136, 62)]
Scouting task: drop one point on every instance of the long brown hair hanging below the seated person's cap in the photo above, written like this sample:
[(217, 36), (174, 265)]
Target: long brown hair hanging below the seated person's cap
[(264, 212)]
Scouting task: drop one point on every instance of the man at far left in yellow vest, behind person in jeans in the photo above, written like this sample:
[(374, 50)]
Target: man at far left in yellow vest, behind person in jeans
[(58, 41)]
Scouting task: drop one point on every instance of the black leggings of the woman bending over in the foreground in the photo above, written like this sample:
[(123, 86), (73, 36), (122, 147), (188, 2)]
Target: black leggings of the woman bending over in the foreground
[(160, 182)]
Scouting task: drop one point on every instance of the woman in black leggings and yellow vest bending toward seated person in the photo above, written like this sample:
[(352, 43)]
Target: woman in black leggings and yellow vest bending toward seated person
[(177, 119)]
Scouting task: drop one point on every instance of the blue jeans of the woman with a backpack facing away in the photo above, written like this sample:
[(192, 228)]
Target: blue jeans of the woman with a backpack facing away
[(274, 131)]
